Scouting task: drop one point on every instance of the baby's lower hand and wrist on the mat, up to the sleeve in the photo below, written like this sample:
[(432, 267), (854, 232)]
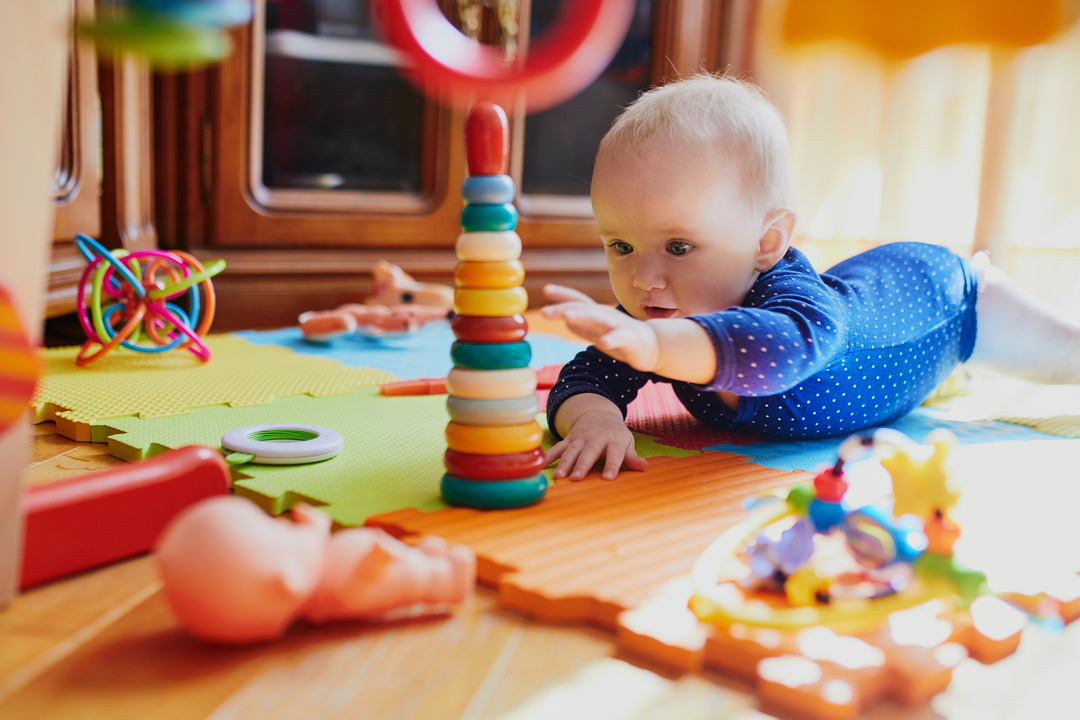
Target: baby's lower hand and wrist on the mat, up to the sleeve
[(592, 428)]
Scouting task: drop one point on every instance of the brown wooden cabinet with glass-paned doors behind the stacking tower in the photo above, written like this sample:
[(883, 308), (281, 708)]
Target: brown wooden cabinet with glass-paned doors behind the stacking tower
[(306, 158)]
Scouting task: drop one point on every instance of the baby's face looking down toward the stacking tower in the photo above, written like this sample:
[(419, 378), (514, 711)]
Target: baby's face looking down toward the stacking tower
[(680, 238)]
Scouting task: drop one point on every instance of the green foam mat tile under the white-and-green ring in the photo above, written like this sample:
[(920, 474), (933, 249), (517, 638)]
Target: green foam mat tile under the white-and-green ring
[(393, 457)]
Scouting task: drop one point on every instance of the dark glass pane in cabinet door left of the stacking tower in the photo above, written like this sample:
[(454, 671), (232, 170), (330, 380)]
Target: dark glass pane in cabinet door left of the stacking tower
[(337, 115)]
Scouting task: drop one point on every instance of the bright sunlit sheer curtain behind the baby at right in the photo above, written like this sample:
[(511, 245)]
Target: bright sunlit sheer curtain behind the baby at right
[(965, 146)]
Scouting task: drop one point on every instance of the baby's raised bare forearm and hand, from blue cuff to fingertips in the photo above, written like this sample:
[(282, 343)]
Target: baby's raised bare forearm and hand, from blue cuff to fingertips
[(678, 349)]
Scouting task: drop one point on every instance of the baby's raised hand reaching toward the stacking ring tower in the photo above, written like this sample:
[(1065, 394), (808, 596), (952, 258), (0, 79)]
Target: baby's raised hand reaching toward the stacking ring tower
[(613, 333)]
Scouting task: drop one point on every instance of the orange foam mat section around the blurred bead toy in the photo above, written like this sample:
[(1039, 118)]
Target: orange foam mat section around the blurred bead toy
[(618, 556)]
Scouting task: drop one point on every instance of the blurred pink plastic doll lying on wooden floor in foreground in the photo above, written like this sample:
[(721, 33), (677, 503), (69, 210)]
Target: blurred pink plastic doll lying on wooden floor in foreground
[(233, 575)]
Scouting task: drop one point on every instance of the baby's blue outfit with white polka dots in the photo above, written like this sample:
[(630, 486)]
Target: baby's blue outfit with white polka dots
[(816, 356)]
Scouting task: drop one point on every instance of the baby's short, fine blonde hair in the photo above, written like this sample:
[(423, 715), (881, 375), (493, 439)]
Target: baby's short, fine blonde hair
[(722, 114)]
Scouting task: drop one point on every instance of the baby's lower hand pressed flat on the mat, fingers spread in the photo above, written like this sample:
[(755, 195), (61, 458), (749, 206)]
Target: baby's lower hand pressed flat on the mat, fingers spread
[(596, 436)]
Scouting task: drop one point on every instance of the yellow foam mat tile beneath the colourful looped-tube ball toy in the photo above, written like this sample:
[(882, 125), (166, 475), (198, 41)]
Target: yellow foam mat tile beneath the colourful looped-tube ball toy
[(239, 374)]
